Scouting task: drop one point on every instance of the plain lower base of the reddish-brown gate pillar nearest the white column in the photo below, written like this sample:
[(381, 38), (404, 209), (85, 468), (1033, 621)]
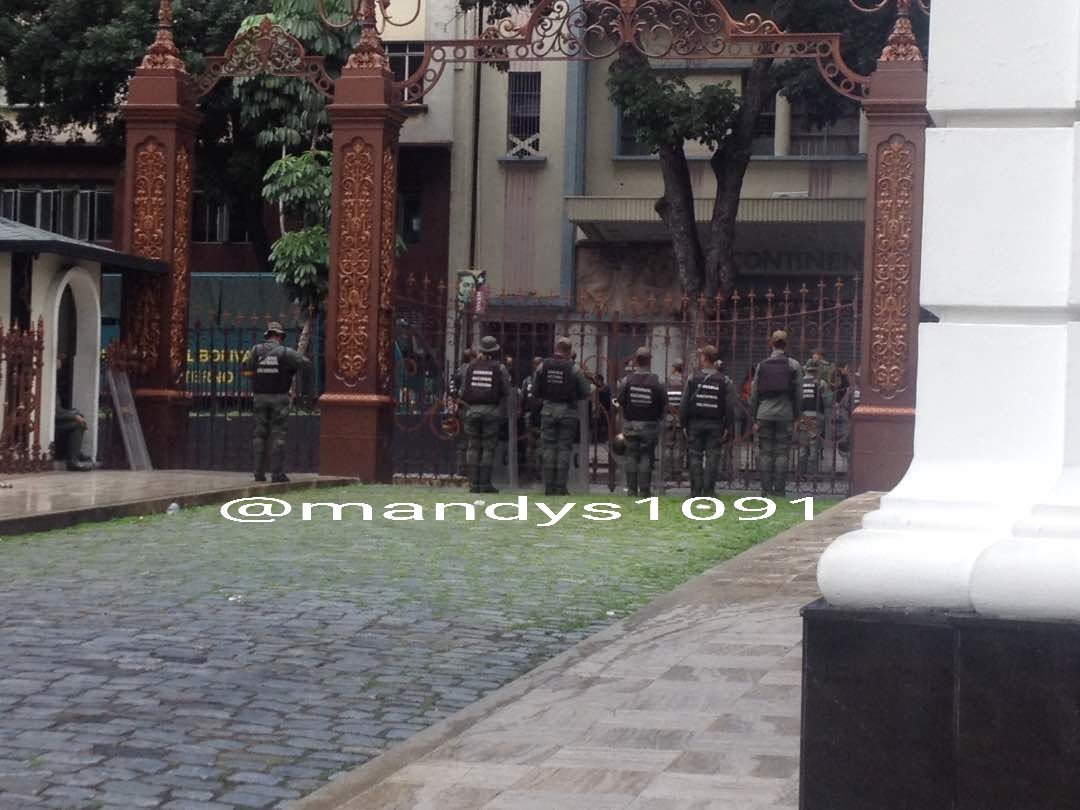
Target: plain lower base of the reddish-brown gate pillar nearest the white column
[(883, 445)]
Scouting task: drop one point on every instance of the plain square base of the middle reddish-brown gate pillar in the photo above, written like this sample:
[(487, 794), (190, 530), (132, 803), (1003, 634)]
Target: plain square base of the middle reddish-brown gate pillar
[(356, 437)]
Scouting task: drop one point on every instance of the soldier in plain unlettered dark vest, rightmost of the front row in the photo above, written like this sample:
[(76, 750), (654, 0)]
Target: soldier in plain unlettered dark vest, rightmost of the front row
[(775, 406)]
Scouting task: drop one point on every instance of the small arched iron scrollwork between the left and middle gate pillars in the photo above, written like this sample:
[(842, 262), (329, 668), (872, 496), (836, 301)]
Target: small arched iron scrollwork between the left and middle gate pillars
[(267, 49)]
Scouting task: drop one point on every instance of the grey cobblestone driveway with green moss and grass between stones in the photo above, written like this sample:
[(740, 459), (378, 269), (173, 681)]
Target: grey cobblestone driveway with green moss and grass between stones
[(186, 663)]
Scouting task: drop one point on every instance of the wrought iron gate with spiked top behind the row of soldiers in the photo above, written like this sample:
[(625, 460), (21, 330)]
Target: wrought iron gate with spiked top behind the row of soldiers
[(825, 317)]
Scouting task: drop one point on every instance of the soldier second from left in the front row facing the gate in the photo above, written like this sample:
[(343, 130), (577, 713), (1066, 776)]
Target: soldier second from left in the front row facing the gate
[(560, 385)]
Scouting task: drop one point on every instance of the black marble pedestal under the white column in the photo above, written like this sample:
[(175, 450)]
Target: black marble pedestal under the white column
[(935, 711)]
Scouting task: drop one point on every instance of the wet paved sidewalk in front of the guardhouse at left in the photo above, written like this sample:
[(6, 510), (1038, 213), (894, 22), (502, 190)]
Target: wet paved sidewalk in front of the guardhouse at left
[(52, 501)]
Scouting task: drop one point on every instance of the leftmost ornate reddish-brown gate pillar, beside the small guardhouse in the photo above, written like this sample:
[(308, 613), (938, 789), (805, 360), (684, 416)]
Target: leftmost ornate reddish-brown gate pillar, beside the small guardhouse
[(161, 121)]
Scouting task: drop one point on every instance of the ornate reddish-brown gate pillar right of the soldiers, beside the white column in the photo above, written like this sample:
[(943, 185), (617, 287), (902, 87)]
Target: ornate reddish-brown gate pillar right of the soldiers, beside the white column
[(884, 424)]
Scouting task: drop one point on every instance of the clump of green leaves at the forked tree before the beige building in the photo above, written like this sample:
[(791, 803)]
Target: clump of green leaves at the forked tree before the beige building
[(667, 112)]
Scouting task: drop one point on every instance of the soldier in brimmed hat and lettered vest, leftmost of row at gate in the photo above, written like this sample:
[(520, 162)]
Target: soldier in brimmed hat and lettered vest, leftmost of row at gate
[(485, 388)]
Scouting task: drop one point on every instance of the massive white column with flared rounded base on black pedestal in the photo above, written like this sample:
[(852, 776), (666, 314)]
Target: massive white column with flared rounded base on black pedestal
[(989, 515)]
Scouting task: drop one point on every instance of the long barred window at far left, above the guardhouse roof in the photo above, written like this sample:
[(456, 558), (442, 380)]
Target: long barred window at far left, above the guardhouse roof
[(78, 211)]
